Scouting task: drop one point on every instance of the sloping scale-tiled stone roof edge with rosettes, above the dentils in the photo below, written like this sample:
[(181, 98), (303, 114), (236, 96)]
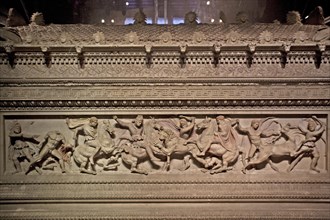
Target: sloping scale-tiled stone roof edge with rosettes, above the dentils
[(233, 35)]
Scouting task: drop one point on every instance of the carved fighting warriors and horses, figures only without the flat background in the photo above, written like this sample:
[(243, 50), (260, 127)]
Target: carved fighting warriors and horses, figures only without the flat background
[(214, 144)]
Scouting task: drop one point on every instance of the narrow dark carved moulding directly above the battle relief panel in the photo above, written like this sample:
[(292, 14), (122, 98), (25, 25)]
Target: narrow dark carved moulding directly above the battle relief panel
[(166, 104)]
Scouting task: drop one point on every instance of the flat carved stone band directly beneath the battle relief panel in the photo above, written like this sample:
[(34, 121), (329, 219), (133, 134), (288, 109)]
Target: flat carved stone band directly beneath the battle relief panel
[(166, 191)]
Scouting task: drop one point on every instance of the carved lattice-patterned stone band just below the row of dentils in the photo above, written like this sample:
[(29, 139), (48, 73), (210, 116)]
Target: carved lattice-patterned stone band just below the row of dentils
[(163, 71)]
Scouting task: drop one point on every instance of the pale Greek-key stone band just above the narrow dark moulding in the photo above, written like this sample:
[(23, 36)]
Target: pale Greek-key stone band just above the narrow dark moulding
[(162, 92)]
